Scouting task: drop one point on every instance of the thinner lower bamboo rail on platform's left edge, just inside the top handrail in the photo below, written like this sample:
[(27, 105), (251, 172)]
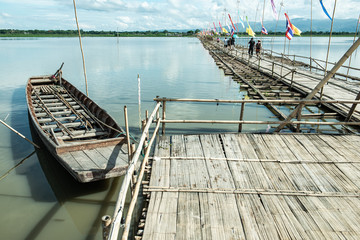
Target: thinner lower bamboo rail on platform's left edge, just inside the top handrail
[(137, 187)]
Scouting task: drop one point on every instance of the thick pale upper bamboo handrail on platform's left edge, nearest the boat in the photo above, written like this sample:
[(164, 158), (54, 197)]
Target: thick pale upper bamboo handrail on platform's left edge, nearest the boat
[(120, 203)]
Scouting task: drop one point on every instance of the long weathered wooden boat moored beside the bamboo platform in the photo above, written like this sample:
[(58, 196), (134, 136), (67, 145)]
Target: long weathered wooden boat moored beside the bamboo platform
[(80, 135)]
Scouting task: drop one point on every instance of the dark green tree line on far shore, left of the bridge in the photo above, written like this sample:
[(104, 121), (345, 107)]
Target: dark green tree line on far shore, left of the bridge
[(73, 33)]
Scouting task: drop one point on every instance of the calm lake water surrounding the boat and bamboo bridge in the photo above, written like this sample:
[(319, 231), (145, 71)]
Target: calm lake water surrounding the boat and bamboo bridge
[(39, 200)]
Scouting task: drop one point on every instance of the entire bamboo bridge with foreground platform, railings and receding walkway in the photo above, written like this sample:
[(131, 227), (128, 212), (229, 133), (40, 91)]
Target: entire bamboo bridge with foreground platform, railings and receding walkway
[(292, 185)]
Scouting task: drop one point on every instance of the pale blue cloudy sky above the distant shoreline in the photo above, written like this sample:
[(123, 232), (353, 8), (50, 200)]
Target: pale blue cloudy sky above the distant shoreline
[(121, 15)]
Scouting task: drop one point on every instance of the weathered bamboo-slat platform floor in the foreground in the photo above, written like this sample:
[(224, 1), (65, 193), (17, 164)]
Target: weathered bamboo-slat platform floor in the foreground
[(254, 186)]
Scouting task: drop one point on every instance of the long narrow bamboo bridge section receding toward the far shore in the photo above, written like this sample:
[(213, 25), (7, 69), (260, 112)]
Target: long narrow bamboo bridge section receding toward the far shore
[(295, 80)]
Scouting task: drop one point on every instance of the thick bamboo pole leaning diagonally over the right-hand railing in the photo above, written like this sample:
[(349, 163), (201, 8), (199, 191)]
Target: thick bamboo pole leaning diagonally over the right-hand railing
[(322, 83)]
